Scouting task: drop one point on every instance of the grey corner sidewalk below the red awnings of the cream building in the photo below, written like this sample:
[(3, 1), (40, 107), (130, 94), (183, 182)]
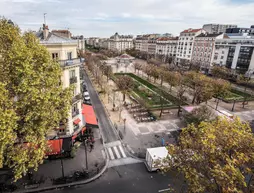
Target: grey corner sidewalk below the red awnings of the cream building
[(49, 174)]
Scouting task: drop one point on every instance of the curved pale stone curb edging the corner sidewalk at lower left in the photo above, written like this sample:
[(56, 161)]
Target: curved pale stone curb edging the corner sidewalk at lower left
[(69, 184)]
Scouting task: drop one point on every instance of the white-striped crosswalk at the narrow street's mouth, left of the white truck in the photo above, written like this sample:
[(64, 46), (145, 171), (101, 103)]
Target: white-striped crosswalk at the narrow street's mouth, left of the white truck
[(115, 150)]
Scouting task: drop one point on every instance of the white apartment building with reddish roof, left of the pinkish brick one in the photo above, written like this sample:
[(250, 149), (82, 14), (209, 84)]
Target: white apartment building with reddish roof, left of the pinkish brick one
[(186, 43)]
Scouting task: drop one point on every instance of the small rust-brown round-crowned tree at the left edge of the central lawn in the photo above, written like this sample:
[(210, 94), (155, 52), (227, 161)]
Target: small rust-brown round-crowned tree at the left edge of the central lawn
[(124, 83)]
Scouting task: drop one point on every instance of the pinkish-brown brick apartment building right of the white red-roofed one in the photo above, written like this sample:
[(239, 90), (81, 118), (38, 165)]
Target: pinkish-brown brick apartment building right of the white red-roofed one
[(203, 49)]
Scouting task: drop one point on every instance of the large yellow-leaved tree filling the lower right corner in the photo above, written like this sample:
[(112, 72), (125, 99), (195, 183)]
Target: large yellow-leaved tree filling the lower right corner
[(215, 156)]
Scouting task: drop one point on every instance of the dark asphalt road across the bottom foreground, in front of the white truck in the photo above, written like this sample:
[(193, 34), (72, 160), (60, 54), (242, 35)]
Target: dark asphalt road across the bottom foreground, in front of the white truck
[(132, 178)]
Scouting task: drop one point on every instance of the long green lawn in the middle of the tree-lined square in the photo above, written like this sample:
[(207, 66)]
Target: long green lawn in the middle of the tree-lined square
[(154, 98)]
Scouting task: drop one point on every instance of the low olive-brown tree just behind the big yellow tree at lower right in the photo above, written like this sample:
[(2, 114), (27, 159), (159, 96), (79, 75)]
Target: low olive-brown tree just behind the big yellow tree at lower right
[(199, 114)]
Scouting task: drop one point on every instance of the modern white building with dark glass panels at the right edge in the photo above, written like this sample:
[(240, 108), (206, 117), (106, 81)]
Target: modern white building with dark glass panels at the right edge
[(235, 53)]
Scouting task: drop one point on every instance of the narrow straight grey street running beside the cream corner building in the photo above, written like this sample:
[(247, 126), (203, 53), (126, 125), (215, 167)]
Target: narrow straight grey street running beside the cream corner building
[(104, 123)]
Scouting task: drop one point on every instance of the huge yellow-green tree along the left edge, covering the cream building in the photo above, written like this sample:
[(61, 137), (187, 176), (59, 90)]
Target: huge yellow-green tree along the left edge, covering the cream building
[(33, 100)]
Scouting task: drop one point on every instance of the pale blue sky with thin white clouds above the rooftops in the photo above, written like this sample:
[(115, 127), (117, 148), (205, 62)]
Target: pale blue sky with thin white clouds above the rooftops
[(102, 18)]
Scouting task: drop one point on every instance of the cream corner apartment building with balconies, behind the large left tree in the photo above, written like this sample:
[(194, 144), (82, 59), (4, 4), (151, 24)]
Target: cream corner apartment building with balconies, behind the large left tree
[(64, 50)]
